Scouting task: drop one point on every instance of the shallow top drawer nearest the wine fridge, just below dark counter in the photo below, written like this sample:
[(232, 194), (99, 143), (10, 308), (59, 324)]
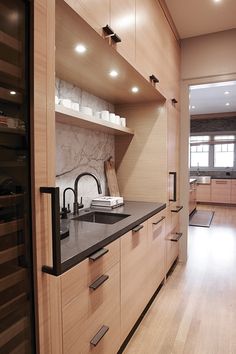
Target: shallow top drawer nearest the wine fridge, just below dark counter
[(77, 279)]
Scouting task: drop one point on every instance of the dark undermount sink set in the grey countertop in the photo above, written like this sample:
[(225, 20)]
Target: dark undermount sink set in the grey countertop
[(101, 217)]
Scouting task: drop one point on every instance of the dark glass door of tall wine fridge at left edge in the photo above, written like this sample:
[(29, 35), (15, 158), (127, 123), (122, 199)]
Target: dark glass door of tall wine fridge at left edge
[(16, 289)]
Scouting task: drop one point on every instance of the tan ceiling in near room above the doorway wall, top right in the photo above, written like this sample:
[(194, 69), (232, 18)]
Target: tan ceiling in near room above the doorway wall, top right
[(197, 17)]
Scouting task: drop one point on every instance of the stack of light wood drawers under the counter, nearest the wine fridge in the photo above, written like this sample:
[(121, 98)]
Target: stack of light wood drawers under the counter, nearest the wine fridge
[(91, 304)]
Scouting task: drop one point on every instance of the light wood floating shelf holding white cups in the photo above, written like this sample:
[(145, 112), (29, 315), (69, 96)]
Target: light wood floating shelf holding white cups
[(69, 116)]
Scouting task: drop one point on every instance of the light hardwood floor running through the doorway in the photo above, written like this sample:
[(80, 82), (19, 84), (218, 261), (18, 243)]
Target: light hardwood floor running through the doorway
[(195, 312)]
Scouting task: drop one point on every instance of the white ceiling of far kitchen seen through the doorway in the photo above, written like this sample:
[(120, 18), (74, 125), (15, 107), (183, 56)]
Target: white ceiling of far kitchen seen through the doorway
[(213, 98)]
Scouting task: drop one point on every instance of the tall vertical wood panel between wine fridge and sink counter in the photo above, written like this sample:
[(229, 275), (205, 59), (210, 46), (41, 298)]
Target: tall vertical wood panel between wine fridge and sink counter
[(43, 170)]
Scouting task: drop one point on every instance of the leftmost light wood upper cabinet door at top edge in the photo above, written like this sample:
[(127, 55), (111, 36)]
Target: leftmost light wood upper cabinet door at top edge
[(95, 12)]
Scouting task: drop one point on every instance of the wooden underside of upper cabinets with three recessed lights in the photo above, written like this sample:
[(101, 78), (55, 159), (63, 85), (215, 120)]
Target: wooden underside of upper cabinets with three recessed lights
[(90, 71)]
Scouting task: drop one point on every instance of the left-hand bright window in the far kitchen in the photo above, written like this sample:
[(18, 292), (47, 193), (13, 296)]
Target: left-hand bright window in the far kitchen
[(199, 153)]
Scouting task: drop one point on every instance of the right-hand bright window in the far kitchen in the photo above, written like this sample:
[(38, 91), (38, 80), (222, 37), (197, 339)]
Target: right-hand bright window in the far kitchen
[(224, 152)]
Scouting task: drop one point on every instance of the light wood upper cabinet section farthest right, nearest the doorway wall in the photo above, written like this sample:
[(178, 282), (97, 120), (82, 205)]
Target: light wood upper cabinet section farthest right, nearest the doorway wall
[(157, 50)]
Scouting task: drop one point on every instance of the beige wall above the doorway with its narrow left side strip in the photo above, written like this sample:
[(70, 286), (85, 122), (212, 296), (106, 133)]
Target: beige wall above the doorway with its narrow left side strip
[(204, 59)]
